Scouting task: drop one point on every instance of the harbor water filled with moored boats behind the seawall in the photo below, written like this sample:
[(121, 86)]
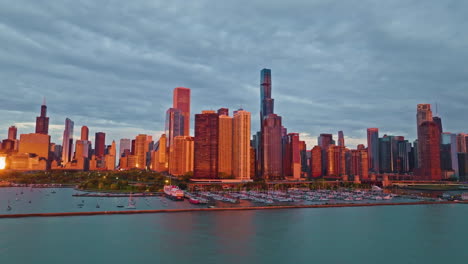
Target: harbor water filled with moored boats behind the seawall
[(26, 200)]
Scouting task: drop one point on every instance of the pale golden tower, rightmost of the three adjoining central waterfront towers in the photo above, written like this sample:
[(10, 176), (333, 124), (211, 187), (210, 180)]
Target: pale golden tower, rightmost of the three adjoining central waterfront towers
[(241, 145)]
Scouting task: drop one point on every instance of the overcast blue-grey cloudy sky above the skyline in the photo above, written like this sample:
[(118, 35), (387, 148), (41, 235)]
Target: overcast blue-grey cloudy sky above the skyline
[(336, 65)]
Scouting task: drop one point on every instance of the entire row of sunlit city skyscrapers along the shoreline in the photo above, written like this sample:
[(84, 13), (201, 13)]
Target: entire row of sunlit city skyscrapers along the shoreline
[(222, 148)]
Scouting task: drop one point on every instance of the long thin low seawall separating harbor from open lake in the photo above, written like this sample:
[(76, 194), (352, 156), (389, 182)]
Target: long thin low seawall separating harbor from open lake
[(215, 209)]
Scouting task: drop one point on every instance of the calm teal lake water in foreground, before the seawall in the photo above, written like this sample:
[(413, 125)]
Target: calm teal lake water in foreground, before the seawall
[(394, 234)]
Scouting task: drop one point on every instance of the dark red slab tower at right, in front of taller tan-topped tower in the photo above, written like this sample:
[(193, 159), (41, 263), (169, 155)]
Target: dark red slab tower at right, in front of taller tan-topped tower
[(429, 145)]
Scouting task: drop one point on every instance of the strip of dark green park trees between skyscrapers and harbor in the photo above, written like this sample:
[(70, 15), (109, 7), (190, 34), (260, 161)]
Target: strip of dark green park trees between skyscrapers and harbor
[(150, 181)]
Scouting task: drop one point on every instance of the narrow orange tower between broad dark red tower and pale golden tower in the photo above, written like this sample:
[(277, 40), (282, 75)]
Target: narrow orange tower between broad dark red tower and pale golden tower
[(225, 145)]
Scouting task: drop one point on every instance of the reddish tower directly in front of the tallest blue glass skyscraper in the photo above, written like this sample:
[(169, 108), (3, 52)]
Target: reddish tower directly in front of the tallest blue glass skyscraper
[(272, 147)]
